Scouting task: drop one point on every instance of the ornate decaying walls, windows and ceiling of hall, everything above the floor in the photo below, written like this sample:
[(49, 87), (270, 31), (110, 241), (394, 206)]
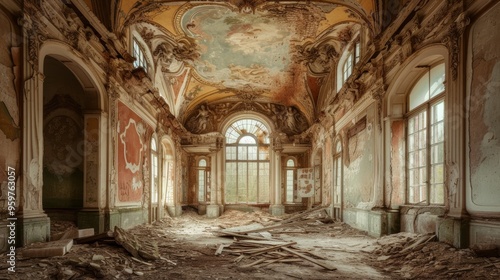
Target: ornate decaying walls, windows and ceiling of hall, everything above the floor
[(119, 113)]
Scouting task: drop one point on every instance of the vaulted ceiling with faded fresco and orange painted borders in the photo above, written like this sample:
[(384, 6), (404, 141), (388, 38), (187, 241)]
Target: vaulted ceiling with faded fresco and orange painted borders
[(240, 51)]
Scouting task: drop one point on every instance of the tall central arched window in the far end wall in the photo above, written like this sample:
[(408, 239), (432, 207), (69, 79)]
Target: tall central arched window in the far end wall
[(247, 162)]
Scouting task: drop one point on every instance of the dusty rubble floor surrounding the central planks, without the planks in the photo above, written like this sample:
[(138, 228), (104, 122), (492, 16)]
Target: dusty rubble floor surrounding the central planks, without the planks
[(187, 245)]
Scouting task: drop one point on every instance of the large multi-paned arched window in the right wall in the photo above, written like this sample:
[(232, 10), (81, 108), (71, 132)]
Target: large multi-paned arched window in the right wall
[(425, 138)]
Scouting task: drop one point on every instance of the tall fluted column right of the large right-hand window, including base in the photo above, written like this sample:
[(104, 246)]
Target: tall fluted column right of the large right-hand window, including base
[(454, 229)]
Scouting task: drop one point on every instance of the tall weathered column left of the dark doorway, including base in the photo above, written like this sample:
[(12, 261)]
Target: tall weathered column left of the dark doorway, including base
[(33, 225)]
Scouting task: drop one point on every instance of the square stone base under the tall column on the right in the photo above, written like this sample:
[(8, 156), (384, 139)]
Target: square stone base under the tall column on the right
[(454, 231)]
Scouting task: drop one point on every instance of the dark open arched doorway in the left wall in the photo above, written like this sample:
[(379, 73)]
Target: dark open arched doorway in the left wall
[(72, 142)]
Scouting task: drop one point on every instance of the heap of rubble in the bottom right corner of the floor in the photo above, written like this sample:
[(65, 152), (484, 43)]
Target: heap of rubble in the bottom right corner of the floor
[(419, 256)]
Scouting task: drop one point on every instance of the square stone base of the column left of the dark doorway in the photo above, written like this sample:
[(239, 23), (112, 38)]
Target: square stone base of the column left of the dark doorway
[(33, 229)]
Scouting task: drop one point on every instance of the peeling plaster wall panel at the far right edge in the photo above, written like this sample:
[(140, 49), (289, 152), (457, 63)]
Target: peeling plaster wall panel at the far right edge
[(483, 151)]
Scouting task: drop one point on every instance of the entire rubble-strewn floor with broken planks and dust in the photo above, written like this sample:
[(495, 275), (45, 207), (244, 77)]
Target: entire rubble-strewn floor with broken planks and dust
[(256, 245)]
